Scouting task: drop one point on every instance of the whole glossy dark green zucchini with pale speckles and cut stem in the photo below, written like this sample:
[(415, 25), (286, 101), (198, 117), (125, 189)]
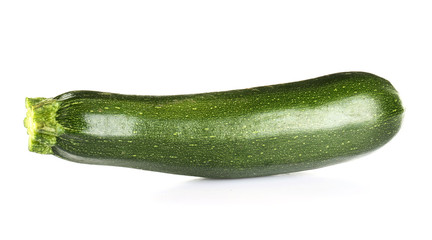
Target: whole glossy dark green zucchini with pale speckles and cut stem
[(233, 134)]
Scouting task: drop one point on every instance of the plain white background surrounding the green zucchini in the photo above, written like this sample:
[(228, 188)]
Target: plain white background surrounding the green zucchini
[(174, 47)]
